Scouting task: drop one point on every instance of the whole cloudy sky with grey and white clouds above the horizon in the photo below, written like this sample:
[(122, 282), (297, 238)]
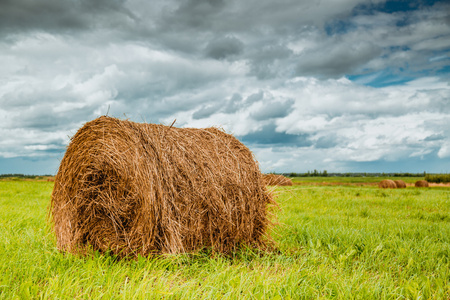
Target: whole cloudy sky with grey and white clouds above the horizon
[(337, 85)]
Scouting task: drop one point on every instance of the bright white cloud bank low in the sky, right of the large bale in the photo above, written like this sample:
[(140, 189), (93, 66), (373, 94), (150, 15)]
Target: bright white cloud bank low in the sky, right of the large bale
[(366, 124)]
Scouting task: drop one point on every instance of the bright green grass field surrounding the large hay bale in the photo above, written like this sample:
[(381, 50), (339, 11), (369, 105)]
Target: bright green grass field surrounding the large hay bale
[(340, 242)]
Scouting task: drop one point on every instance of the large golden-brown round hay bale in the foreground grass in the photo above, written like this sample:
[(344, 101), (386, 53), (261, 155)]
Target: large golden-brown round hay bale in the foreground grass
[(138, 189)]
